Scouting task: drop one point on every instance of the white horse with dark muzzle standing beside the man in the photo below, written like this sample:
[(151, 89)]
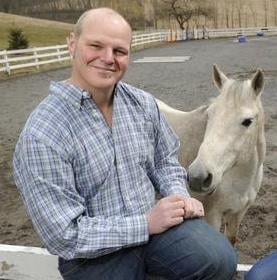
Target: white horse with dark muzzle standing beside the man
[(227, 172)]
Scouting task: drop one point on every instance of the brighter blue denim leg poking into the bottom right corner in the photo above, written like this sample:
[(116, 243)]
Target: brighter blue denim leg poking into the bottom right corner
[(264, 269)]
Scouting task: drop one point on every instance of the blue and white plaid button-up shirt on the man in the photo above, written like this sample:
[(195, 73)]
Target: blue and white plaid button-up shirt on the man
[(87, 187)]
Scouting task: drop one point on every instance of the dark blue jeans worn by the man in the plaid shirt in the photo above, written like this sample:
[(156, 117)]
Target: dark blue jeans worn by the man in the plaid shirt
[(192, 250)]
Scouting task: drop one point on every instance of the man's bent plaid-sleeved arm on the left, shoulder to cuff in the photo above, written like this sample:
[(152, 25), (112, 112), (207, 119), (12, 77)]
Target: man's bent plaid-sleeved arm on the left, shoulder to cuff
[(45, 179)]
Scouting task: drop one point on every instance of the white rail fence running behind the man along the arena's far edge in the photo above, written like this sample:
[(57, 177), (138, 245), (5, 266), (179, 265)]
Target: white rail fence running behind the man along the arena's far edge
[(34, 57)]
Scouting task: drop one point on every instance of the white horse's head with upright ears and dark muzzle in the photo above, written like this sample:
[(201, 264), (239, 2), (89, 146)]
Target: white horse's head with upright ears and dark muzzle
[(232, 132)]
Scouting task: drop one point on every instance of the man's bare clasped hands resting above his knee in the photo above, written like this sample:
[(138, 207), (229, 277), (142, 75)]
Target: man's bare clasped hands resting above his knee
[(171, 211)]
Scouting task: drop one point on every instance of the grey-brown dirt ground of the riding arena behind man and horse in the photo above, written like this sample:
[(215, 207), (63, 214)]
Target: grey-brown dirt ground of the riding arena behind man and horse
[(182, 85)]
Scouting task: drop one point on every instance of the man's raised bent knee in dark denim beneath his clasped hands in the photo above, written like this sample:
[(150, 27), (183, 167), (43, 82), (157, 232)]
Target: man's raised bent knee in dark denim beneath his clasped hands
[(194, 249)]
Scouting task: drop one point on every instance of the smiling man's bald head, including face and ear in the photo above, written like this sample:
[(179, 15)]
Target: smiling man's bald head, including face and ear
[(100, 47)]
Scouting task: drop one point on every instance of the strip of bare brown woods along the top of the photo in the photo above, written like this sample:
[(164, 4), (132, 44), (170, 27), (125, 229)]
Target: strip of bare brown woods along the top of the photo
[(151, 13)]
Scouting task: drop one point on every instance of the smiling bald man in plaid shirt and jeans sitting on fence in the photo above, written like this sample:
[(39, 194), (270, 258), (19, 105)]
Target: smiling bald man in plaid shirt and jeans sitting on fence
[(89, 162)]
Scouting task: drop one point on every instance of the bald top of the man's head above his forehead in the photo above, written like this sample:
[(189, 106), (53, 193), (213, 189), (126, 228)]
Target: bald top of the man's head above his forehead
[(97, 15)]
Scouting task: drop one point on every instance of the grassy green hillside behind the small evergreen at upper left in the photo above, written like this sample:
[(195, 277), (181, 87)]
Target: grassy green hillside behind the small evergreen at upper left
[(39, 32)]
